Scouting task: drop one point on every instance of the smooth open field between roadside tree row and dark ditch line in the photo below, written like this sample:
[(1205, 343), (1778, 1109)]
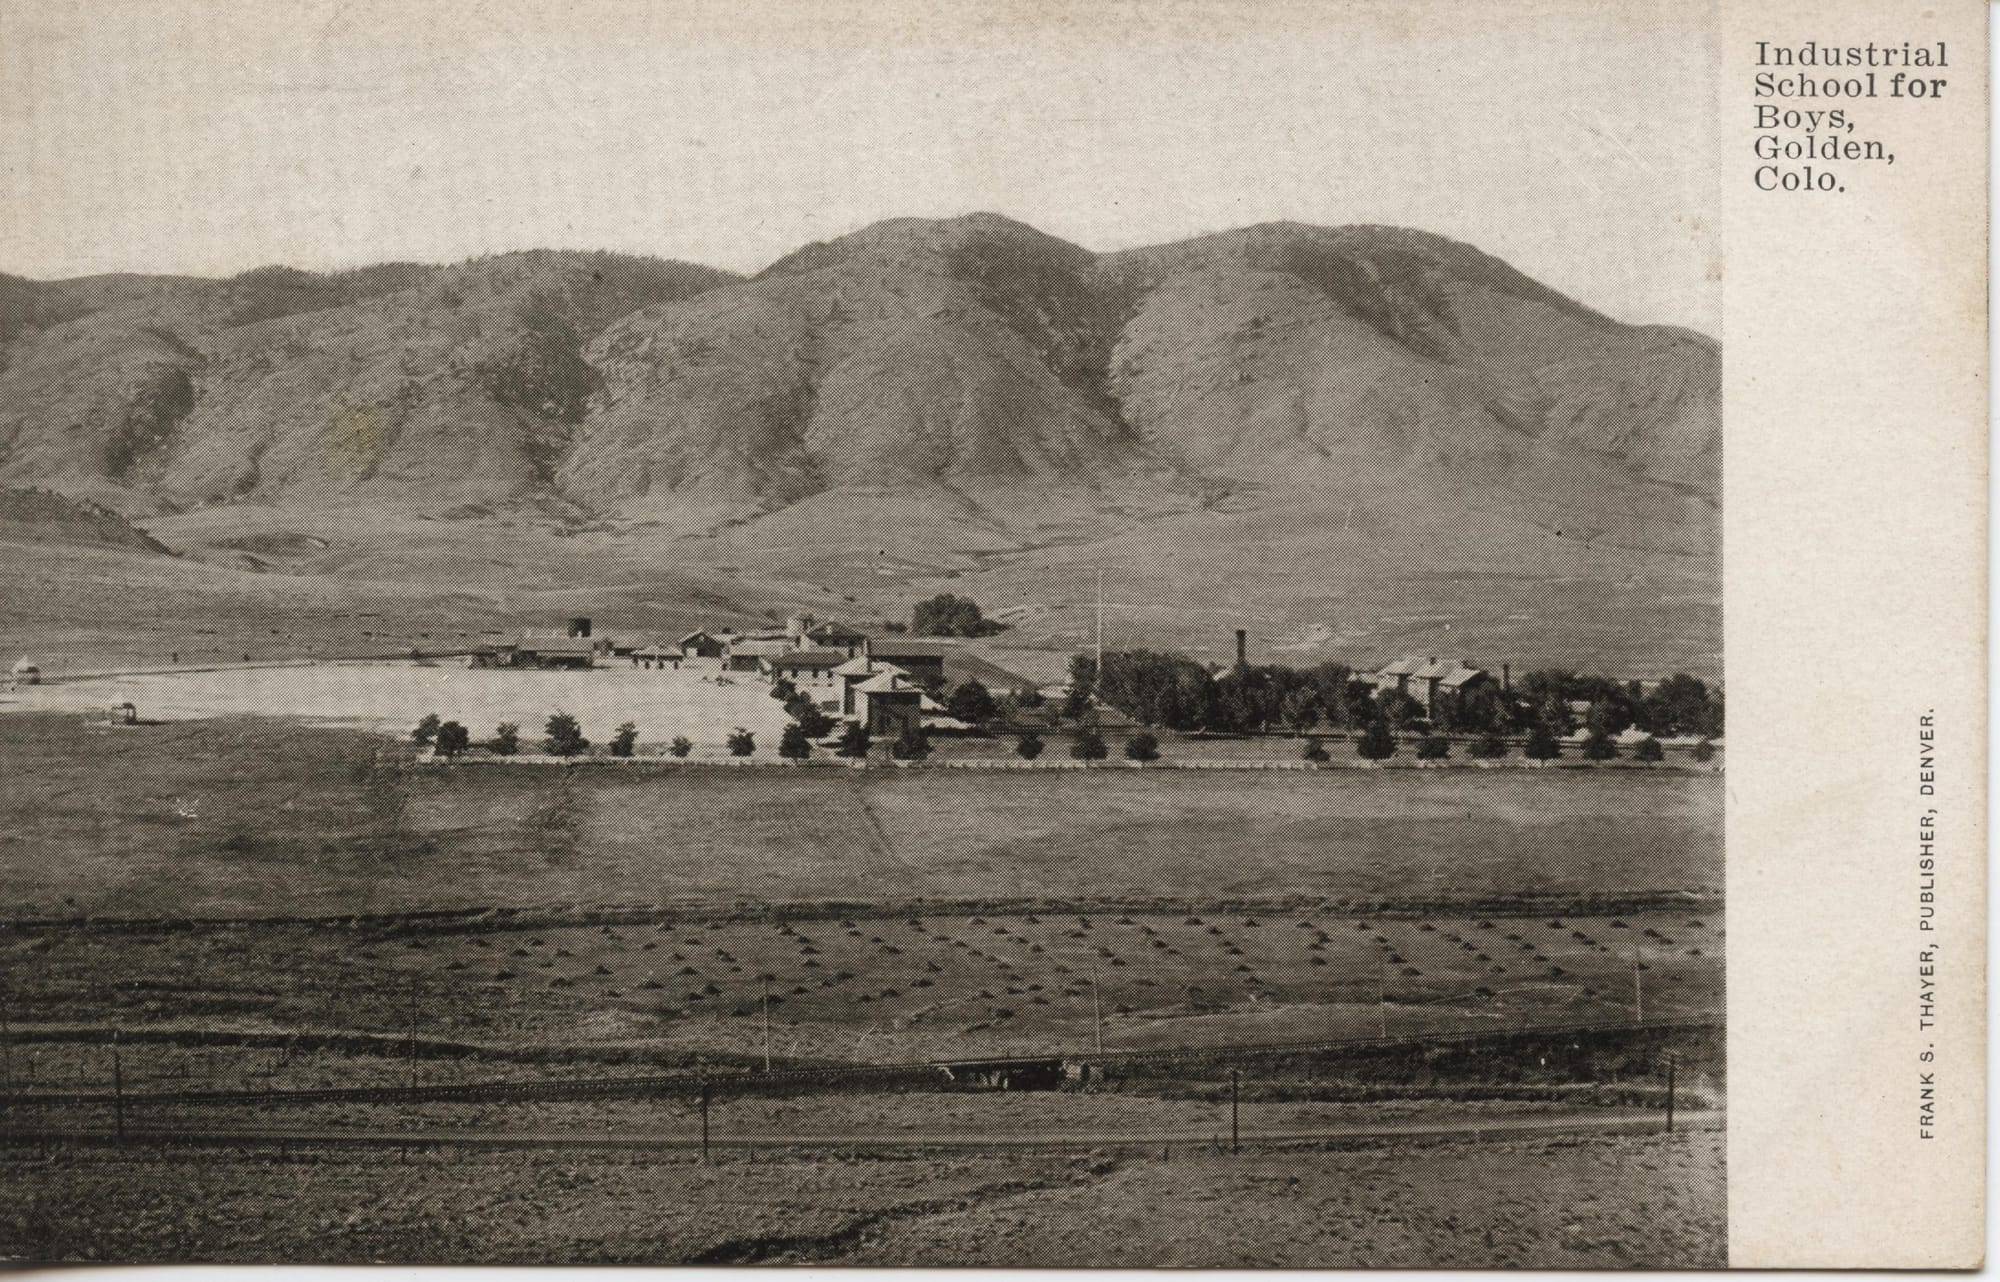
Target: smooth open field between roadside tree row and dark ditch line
[(263, 819)]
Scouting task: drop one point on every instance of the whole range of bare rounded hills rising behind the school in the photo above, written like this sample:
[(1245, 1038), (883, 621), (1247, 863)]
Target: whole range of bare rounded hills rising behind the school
[(973, 369)]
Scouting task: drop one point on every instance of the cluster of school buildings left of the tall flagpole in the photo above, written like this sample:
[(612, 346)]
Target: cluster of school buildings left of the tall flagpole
[(881, 683)]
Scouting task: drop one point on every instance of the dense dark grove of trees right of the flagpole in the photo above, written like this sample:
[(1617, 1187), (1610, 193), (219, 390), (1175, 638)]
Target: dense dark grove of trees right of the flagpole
[(1173, 691)]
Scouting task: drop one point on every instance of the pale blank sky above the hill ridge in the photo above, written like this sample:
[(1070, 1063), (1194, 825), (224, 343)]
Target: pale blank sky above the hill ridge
[(217, 135)]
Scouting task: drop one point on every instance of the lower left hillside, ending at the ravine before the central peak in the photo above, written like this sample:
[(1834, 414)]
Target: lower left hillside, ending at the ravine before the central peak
[(425, 387)]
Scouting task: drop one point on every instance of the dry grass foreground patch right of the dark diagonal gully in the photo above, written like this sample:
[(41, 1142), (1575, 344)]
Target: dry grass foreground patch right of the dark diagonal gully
[(1585, 1203)]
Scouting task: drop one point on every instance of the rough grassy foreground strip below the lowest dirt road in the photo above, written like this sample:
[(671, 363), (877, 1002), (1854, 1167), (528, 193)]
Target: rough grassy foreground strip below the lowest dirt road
[(1545, 1203)]
